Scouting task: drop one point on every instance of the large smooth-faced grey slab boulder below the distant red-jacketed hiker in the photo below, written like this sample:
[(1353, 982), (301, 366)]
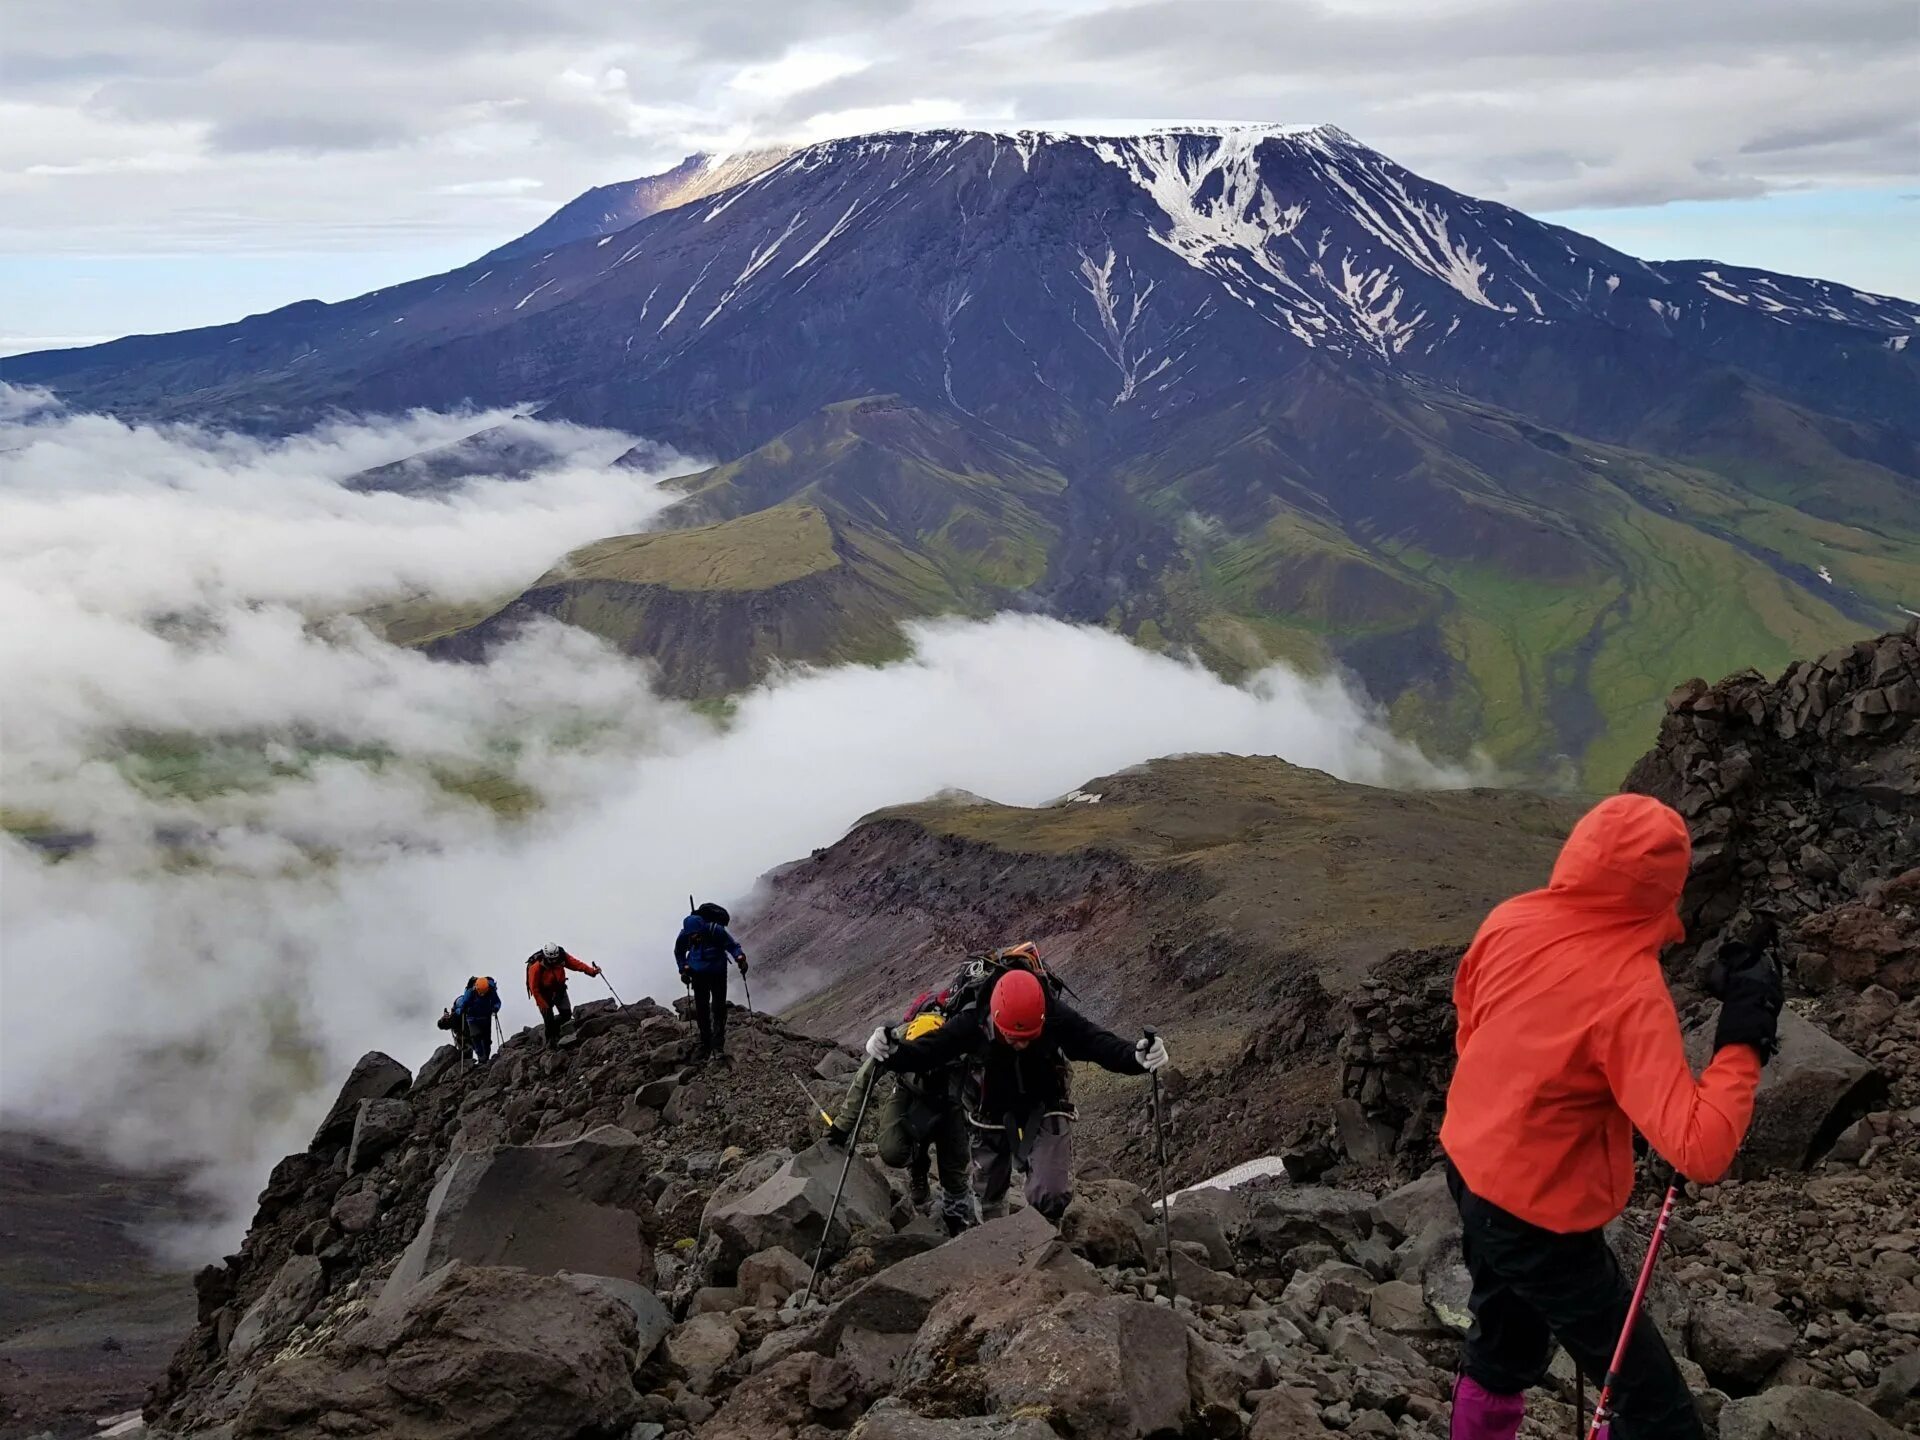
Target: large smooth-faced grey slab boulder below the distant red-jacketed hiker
[(579, 1207)]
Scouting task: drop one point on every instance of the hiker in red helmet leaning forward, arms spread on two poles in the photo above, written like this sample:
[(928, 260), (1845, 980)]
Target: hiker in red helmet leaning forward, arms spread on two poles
[(1019, 1047)]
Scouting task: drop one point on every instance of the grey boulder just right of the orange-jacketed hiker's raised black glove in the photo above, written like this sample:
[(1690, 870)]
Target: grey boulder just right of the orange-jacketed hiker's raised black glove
[(1810, 1093)]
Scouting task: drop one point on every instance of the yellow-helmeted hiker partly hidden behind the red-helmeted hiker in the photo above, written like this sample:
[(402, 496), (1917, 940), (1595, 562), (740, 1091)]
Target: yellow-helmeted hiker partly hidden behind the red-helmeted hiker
[(921, 1122)]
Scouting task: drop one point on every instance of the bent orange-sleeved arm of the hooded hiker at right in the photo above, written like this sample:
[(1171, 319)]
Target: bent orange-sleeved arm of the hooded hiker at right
[(1696, 1126)]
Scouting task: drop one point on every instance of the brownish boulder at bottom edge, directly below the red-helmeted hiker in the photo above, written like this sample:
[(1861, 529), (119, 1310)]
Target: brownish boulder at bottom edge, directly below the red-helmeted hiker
[(1101, 1368)]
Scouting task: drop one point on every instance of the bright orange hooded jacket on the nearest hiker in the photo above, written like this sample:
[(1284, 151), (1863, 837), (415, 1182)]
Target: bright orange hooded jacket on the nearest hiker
[(1570, 1042)]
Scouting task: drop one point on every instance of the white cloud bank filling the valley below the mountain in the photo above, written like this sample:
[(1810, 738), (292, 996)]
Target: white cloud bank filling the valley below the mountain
[(180, 679)]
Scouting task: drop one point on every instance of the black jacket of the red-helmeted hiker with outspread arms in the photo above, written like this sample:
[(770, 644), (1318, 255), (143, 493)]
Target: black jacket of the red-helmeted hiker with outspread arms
[(1011, 1082)]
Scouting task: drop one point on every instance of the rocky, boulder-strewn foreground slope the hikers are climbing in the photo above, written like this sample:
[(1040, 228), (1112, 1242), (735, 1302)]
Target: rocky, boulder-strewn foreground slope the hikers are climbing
[(612, 1243)]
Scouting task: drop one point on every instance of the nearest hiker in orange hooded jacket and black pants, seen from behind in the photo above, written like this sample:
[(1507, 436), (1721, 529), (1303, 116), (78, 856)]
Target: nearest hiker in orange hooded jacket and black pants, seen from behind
[(1568, 1045)]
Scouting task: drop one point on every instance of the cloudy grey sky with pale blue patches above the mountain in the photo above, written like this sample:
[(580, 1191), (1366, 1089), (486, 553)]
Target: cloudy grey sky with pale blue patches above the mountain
[(195, 160)]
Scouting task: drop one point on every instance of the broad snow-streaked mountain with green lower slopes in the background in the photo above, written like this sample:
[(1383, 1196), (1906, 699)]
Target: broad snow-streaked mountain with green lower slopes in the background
[(1259, 393)]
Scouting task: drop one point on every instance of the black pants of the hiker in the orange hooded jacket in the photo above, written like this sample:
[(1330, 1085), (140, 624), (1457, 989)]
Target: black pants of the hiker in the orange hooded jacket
[(1533, 1287)]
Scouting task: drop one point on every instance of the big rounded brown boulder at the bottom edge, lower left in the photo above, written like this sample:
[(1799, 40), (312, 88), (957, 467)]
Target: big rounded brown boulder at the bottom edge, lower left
[(471, 1355)]
